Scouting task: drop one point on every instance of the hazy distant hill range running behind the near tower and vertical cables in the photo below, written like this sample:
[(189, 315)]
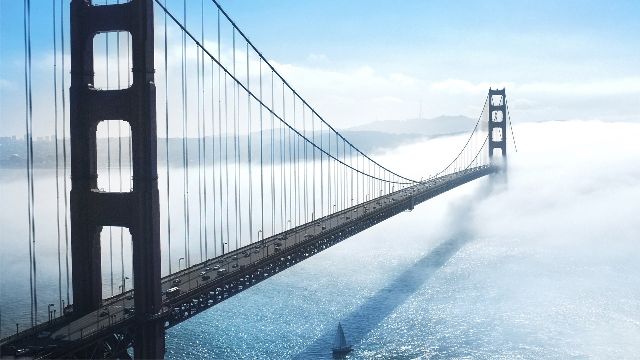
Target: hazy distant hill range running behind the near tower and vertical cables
[(370, 138)]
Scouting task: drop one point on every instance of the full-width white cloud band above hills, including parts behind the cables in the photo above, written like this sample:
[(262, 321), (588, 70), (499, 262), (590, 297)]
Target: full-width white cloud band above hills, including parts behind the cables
[(347, 96)]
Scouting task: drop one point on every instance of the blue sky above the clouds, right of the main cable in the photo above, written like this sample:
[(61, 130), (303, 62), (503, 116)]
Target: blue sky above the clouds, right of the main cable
[(427, 37)]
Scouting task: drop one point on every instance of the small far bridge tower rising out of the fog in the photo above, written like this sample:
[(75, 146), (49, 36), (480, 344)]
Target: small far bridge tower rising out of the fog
[(497, 123)]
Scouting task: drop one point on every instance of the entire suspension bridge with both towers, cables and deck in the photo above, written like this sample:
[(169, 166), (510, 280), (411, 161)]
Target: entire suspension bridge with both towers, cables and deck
[(253, 179)]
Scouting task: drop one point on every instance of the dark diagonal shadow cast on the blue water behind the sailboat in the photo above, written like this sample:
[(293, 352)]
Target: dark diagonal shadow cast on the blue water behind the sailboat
[(369, 315)]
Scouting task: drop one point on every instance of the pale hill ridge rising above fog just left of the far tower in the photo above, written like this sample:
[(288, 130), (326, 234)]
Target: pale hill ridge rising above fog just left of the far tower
[(440, 125)]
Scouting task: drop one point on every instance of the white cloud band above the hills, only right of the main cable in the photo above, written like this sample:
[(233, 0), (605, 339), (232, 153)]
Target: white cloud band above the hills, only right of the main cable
[(352, 96)]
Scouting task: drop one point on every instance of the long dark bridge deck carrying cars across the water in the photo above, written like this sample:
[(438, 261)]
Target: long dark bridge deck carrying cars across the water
[(243, 268)]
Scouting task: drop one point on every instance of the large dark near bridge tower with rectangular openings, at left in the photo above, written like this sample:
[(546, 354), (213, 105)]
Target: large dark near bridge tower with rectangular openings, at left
[(137, 210)]
